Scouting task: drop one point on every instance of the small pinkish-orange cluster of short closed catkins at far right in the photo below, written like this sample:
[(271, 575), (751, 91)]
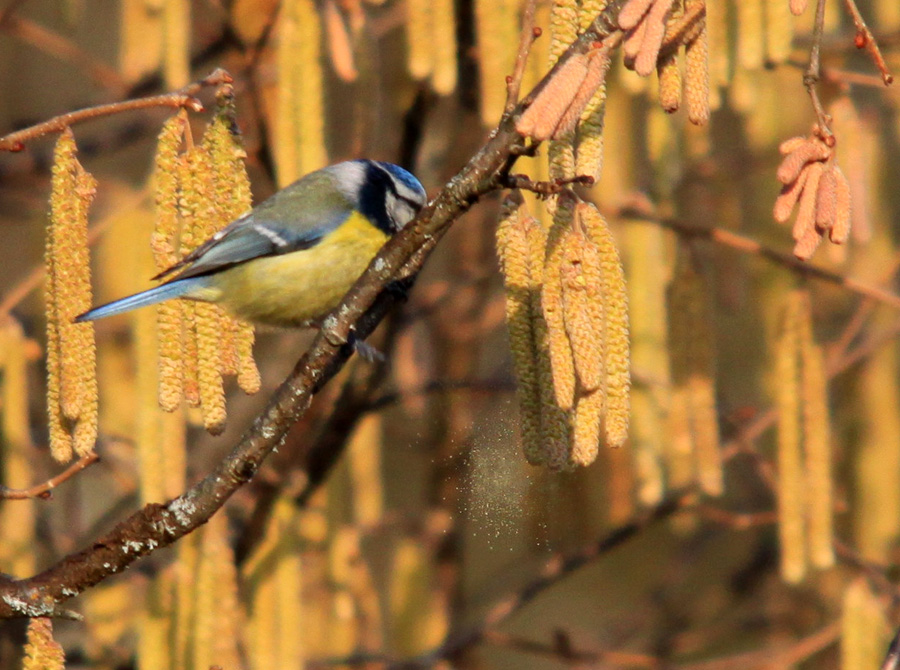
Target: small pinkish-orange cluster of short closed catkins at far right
[(817, 188)]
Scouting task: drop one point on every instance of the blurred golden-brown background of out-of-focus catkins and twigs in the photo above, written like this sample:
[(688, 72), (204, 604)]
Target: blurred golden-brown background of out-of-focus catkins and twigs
[(431, 518)]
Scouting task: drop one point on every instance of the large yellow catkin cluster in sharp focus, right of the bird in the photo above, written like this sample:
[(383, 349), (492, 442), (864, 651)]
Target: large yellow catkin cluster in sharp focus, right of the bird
[(566, 309)]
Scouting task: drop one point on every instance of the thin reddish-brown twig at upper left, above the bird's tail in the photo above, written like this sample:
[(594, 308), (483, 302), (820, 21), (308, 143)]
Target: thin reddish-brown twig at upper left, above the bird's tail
[(183, 98)]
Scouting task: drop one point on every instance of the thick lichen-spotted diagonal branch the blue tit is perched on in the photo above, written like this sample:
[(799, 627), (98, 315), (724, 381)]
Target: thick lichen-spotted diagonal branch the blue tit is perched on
[(159, 525)]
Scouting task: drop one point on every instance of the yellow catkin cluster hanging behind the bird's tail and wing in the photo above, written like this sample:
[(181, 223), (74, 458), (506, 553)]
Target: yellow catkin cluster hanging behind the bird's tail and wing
[(198, 190)]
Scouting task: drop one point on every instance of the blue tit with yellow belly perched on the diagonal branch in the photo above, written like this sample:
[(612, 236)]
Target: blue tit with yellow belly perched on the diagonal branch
[(291, 259)]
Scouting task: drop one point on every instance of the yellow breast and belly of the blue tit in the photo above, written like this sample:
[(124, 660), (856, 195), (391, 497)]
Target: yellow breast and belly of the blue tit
[(295, 288)]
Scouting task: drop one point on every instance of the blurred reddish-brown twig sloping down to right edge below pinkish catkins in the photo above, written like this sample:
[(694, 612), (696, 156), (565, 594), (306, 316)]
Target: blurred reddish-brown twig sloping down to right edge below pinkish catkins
[(750, 246)]
